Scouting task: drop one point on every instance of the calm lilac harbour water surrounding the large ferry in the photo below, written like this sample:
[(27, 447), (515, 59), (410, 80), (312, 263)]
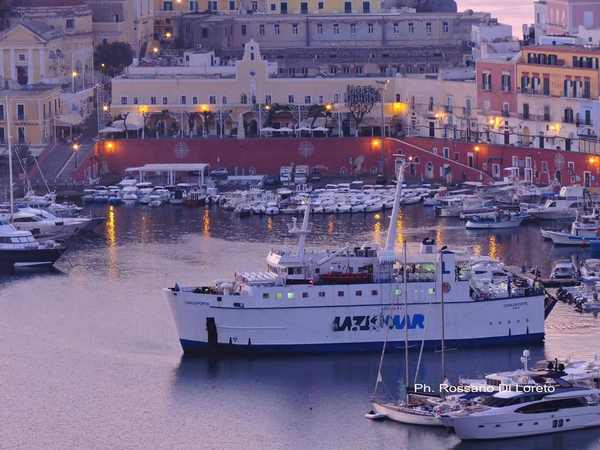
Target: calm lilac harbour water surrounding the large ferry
[(89, 356)]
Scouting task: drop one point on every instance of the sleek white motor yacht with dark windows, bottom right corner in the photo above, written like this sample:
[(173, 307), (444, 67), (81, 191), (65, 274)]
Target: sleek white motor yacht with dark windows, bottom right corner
[(516, 413)]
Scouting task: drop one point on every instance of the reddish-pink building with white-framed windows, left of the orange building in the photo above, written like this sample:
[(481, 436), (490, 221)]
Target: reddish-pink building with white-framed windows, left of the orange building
[(496, 87)]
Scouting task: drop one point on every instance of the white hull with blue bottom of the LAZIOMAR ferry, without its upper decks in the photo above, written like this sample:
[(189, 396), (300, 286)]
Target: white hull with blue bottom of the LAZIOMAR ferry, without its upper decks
[(232, 324)]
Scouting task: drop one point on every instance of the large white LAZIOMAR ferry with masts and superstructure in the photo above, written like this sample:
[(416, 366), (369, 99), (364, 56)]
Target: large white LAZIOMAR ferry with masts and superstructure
[(351, 300)]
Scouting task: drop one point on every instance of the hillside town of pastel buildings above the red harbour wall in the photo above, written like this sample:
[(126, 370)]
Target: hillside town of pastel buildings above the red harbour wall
[(78, 76)]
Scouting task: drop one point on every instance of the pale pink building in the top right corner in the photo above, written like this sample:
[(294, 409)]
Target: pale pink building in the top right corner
[(565, 16)]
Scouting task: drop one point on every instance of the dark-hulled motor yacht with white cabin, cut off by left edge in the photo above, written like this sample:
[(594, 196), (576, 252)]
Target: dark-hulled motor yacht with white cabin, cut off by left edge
[(21, 249)]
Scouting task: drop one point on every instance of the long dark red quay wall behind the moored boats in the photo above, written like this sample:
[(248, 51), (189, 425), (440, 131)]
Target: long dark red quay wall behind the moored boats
[(436, 160)]
